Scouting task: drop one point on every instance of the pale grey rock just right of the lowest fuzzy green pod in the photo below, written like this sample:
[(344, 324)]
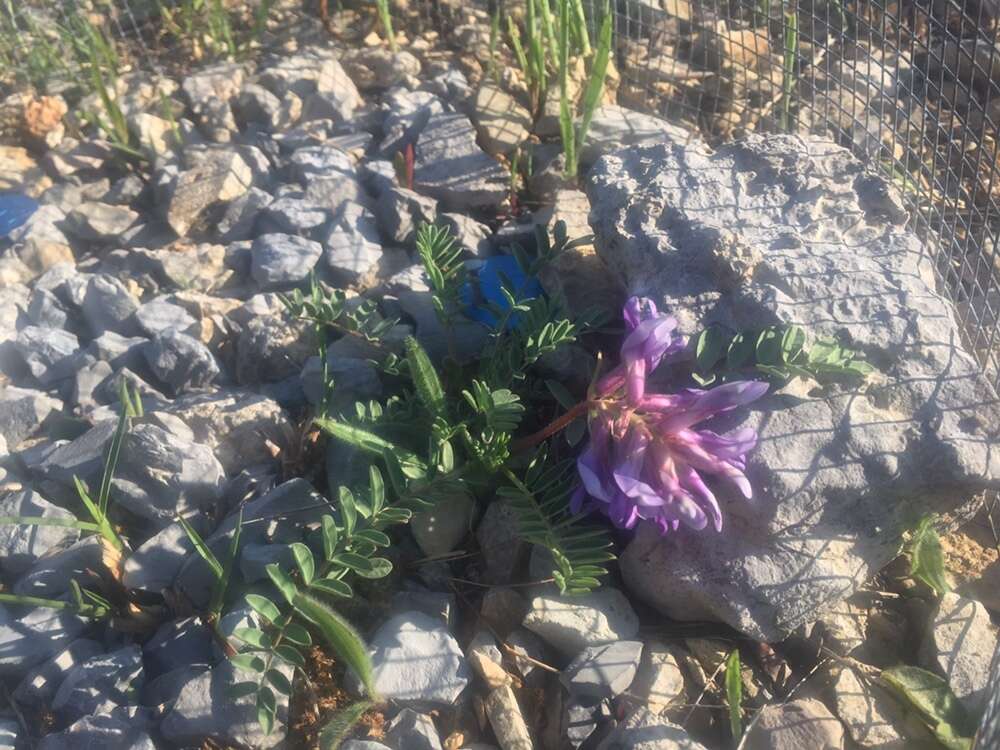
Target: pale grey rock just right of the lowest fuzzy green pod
[(416, 660)]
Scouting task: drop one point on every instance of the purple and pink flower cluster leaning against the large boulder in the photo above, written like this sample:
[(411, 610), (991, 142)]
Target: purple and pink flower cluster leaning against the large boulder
[(645, 459)]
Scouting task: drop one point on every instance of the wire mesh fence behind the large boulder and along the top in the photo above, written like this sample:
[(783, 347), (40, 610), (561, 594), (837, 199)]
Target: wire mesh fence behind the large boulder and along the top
[(912, 87)]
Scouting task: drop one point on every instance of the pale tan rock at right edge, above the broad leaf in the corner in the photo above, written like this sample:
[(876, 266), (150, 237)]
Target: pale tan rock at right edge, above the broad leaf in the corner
[(959, 645)]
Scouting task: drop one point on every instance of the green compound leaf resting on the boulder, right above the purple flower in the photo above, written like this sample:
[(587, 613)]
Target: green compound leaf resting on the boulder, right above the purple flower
[(780, 352)]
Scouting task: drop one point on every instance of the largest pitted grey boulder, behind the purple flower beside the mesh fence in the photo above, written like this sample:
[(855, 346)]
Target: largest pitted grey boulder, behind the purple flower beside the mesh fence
[(786, 229)]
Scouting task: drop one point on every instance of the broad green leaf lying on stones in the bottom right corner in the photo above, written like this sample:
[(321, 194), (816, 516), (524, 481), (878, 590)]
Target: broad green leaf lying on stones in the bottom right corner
[(934, 701)]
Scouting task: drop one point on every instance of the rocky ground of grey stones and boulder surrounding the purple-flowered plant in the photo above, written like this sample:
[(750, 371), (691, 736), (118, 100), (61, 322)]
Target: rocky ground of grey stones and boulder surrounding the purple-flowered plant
[(166, 277)]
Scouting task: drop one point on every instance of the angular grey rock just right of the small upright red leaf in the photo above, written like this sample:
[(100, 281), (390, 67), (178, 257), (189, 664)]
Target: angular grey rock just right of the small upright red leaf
[(451, 167)]
